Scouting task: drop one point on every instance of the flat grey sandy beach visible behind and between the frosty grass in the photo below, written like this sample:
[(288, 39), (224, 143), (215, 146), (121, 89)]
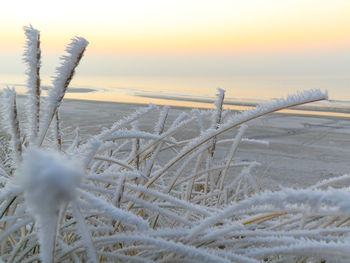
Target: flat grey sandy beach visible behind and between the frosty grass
[(302, 149)]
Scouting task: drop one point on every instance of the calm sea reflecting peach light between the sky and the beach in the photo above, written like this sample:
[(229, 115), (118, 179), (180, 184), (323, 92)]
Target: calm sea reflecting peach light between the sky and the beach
[(195, 91)]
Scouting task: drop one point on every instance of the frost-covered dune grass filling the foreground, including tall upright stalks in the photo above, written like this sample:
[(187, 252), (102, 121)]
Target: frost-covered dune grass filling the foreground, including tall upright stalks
[(133, 195)]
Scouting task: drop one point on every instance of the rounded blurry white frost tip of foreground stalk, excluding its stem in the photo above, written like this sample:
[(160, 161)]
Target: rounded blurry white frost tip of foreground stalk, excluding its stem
[(48, 180)]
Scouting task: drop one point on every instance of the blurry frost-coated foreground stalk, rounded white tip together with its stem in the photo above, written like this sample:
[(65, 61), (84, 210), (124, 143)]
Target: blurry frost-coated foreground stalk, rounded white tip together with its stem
[(48, 181)]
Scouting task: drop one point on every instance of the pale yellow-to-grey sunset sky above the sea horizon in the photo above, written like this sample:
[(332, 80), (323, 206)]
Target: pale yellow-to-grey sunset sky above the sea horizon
[(185, 37)]
